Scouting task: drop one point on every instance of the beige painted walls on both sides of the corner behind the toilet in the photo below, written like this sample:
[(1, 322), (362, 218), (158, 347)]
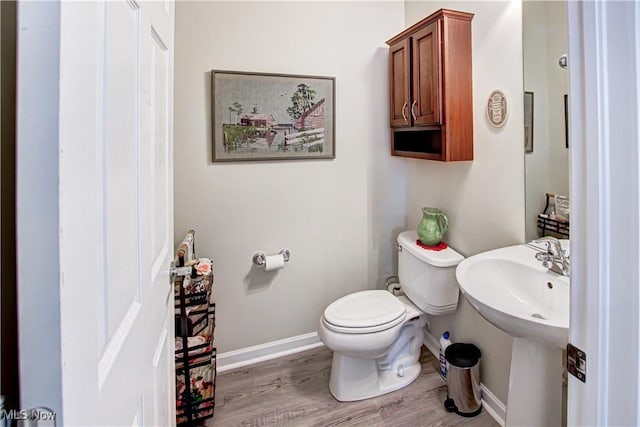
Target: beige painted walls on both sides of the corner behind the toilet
[(339, 217)]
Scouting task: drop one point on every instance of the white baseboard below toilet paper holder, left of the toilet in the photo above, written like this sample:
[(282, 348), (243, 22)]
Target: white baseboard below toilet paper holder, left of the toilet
[(271, 350)]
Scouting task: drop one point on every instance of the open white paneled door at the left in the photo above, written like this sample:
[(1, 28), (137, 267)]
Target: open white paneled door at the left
[(116, 221)]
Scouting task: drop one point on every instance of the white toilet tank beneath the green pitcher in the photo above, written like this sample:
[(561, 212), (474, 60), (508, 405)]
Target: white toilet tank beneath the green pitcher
[(428, 277)]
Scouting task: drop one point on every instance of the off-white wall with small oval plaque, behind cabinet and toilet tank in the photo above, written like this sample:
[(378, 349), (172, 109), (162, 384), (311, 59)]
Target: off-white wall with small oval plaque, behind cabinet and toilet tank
[(484, 199)]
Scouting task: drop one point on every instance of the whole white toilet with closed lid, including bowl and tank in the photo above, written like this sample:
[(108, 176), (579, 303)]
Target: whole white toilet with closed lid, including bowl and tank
[(375, 336)]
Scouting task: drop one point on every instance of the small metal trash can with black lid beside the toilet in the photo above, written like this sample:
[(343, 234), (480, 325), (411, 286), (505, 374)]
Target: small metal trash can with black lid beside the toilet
[(463, 380)]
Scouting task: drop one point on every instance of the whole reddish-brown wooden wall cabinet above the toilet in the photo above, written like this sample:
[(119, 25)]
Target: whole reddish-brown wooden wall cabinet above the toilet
[(430, 88)]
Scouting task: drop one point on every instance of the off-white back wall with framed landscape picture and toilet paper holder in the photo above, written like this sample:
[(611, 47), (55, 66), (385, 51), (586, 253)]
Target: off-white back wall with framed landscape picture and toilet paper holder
[(338, 217)]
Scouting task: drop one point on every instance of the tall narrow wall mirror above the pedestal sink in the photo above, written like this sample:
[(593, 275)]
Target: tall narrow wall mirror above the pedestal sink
[(546, 84)]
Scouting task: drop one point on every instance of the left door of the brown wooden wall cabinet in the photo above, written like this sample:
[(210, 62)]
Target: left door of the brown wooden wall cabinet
[(399, 88)]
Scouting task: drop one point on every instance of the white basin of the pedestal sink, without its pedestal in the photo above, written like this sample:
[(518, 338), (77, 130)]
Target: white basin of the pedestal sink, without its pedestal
[(514, 292)]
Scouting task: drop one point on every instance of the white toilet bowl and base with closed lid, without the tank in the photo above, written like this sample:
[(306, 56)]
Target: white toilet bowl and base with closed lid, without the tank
[(374, 352)]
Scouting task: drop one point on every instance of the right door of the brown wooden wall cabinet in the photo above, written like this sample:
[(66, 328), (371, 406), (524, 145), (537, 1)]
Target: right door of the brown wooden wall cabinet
[(426, 106)]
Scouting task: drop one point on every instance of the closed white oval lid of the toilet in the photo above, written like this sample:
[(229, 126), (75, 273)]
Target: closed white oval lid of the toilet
[(366, 309)]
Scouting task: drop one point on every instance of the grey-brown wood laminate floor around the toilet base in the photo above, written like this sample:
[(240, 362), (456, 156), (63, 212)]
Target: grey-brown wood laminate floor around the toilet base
[(294, 391)]
